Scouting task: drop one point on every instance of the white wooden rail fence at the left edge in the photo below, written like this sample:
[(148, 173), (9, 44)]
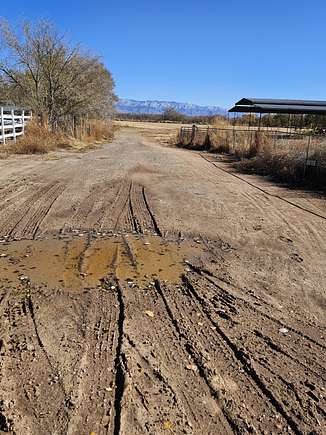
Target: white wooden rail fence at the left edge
[(13, 121)]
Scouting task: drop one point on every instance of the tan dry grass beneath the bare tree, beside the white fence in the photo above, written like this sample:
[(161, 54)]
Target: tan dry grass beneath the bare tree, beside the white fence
[(39, 139)]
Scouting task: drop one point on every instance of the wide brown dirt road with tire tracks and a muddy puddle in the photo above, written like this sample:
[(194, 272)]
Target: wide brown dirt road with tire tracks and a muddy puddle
[(146, 289)]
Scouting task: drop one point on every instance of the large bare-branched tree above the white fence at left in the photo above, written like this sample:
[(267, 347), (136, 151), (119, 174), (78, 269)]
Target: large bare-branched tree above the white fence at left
[(39, 69)]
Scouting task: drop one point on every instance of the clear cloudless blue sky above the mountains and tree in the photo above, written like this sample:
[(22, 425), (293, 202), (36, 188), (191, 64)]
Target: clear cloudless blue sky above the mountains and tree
[(206, 52)]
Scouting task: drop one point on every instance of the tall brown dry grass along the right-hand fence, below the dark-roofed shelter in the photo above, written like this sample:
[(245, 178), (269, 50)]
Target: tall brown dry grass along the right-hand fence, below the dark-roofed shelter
[(263, 153)]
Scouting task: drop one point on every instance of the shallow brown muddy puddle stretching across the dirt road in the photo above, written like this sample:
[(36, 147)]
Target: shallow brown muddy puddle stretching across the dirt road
[(82, 261)]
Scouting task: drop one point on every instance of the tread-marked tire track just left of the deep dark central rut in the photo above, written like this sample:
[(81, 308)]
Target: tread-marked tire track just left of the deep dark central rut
[(94, 380)]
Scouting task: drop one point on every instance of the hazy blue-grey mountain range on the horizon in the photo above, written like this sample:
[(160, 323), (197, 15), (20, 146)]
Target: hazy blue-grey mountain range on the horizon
[(157, 107)]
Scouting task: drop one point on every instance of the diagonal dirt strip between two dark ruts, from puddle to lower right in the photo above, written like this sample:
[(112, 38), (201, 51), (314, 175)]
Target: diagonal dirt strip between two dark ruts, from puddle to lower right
[(222, 371)]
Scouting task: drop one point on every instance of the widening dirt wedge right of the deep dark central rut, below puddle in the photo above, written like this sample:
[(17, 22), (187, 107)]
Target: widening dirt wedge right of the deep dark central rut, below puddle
[(159, 387)]
